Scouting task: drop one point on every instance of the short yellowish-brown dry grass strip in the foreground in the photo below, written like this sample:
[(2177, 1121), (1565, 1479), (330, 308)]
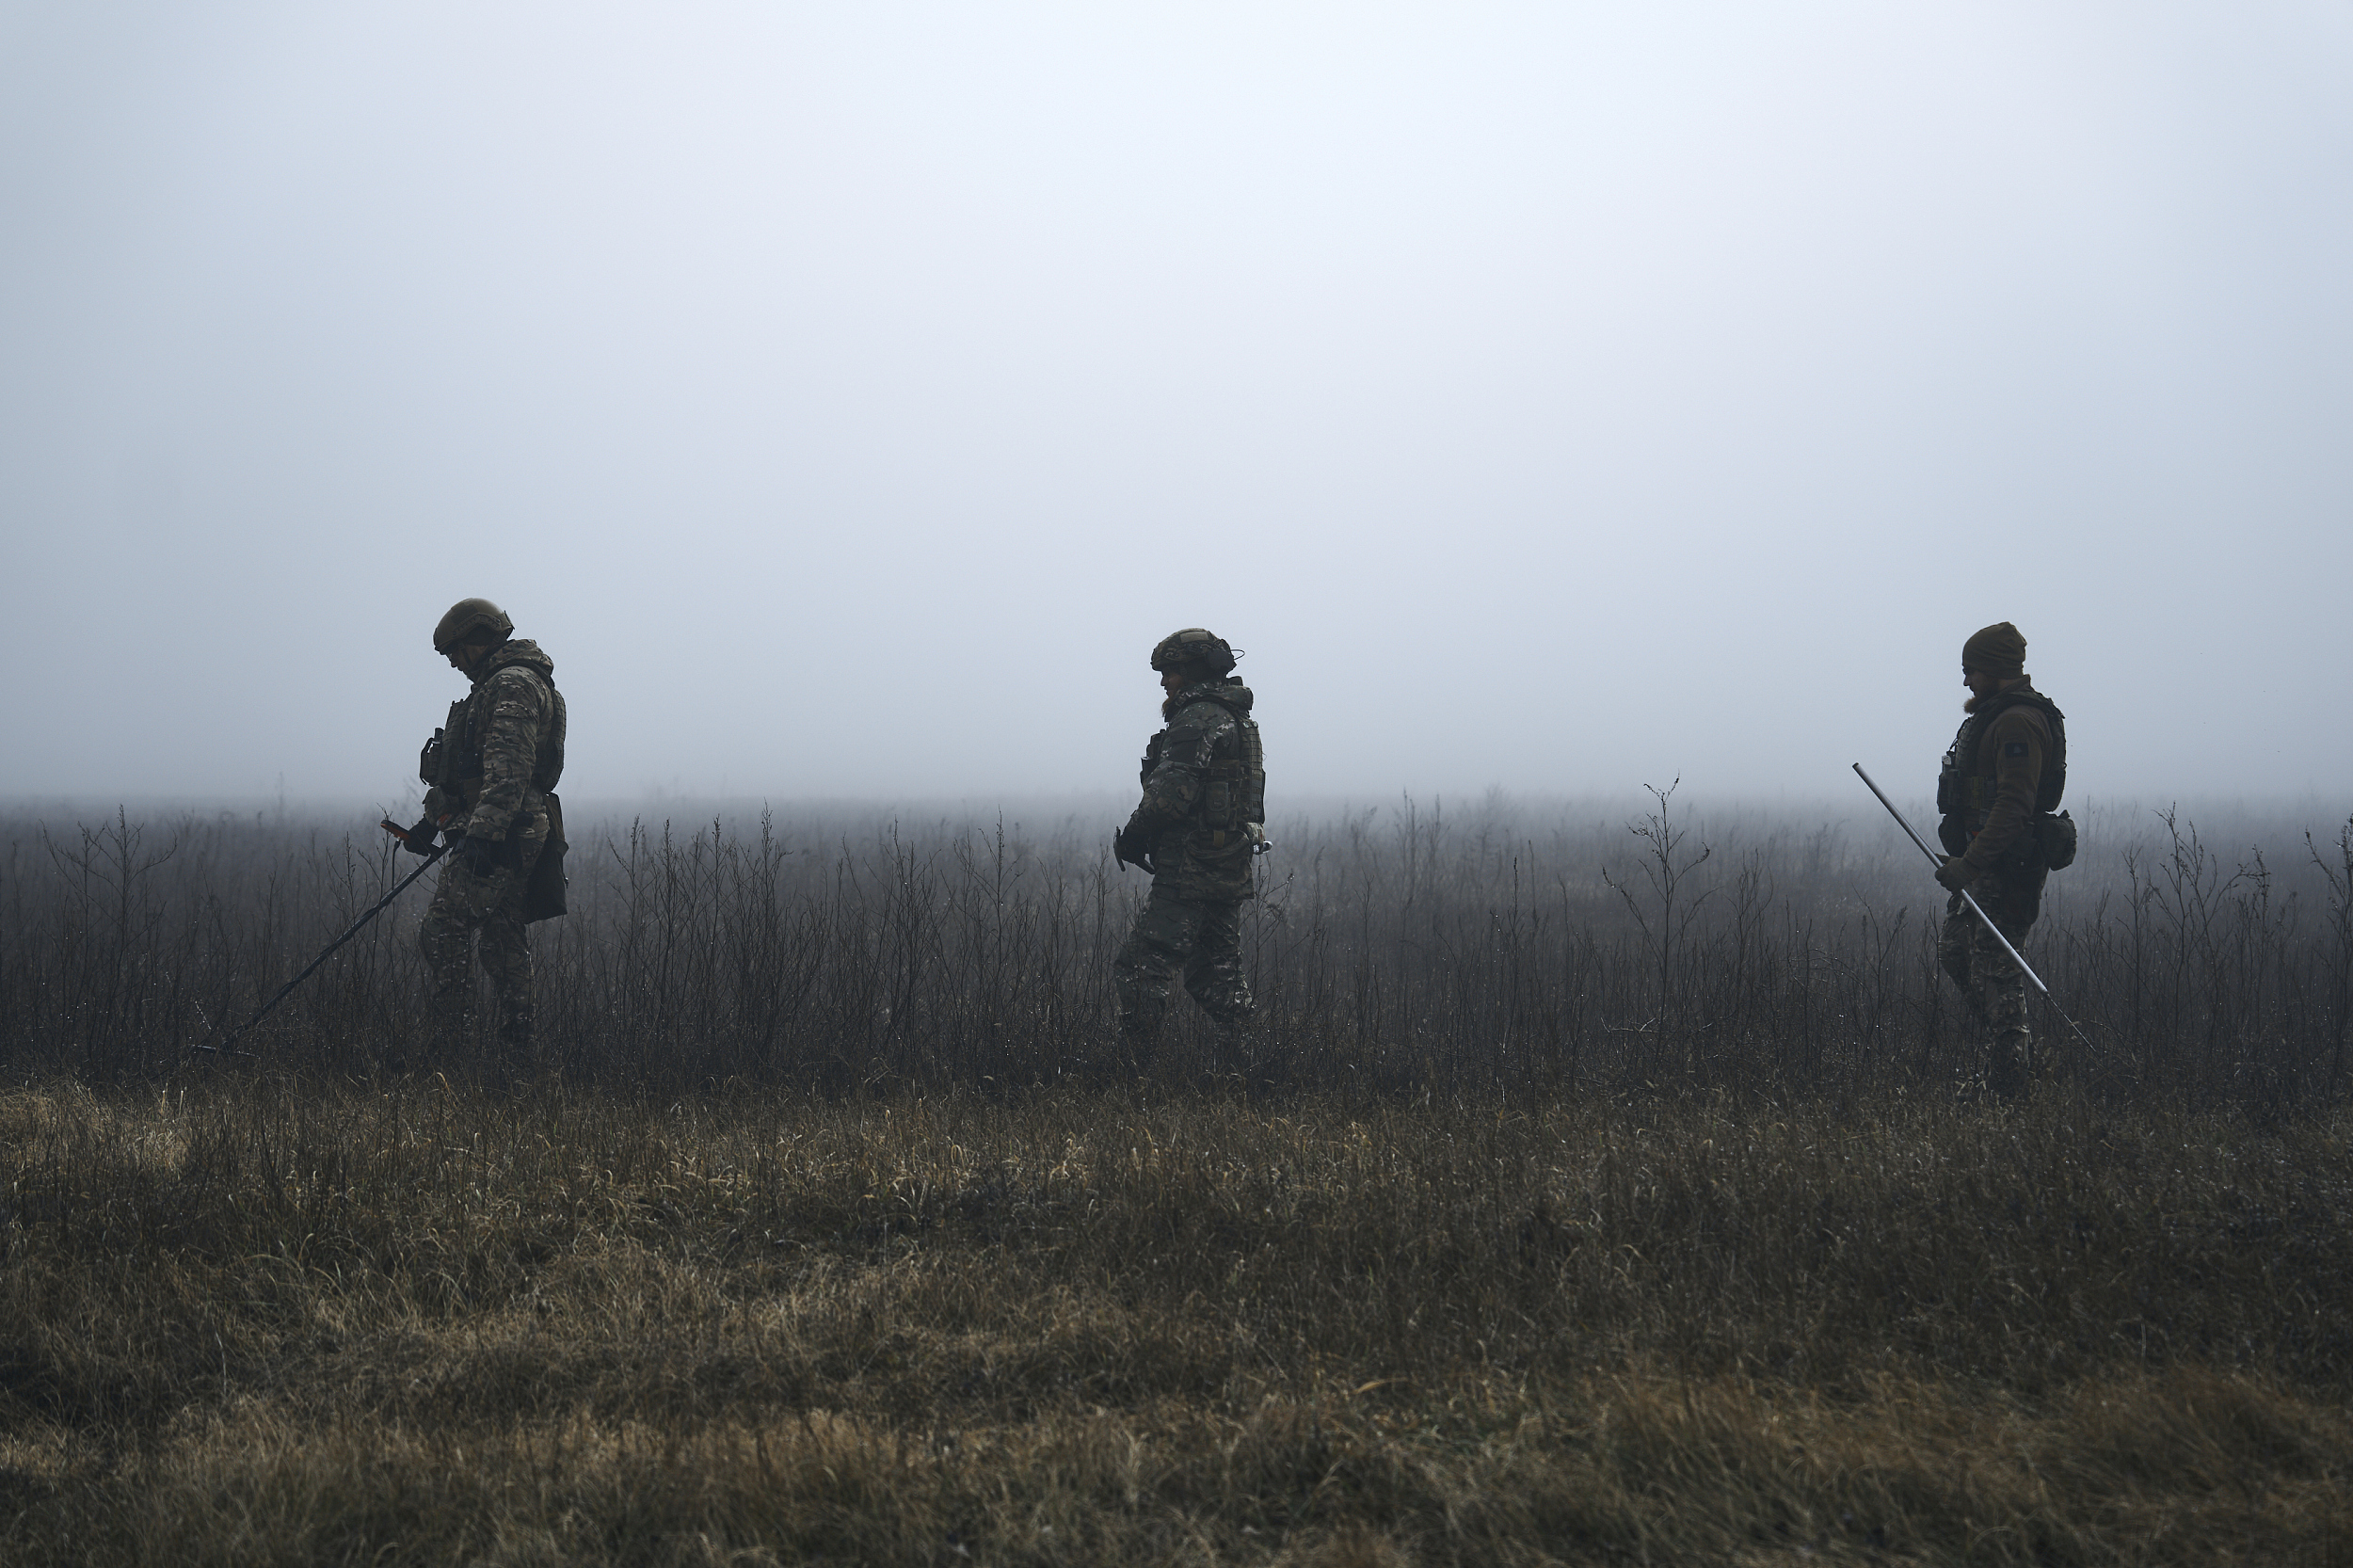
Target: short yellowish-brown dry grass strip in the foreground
[(295, 1322)]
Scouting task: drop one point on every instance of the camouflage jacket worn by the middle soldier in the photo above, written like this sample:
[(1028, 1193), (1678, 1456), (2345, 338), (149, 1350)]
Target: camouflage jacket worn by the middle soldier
[(1204, 792)]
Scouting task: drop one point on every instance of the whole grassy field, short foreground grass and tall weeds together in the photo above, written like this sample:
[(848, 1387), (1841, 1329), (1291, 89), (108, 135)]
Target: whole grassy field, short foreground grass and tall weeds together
[(1547, 1225)]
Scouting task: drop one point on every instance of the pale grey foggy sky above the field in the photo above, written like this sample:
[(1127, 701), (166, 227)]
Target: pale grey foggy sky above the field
[(848, 397)]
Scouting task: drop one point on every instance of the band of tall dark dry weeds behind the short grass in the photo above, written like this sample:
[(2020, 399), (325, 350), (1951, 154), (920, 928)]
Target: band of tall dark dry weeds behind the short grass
[(1394, 952)]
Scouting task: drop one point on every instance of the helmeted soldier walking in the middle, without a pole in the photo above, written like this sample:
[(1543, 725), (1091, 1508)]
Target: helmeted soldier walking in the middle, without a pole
[(1201, 820)]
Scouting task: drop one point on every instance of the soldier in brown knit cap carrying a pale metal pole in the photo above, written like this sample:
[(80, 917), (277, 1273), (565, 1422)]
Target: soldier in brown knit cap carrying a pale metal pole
[(1997, 797)]
